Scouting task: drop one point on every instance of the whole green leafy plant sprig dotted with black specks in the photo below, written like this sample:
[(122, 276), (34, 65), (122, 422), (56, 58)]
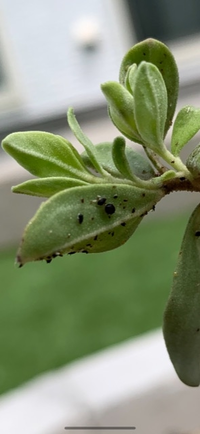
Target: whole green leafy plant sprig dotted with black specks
[(97, 200)]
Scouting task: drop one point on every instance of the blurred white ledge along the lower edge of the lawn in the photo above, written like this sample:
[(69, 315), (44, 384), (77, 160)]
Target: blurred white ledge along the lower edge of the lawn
[(87, 387)]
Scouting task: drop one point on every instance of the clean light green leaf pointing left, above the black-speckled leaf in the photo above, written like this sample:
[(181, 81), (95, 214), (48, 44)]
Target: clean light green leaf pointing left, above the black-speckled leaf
[(45, 155)]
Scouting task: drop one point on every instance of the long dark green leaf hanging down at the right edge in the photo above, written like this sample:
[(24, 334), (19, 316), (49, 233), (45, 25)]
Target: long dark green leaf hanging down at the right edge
[(181, 325)]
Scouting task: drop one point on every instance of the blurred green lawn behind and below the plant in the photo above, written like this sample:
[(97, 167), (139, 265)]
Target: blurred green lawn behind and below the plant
[(53, 314)]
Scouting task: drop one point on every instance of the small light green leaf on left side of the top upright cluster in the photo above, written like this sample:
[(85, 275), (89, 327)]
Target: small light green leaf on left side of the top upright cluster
[(121, 109)]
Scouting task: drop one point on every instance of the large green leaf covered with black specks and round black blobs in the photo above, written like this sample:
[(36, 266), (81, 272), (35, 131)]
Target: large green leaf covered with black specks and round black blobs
[(88, 219)]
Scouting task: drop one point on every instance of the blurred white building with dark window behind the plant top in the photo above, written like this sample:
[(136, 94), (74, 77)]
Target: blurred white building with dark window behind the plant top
[(54, 54)]
